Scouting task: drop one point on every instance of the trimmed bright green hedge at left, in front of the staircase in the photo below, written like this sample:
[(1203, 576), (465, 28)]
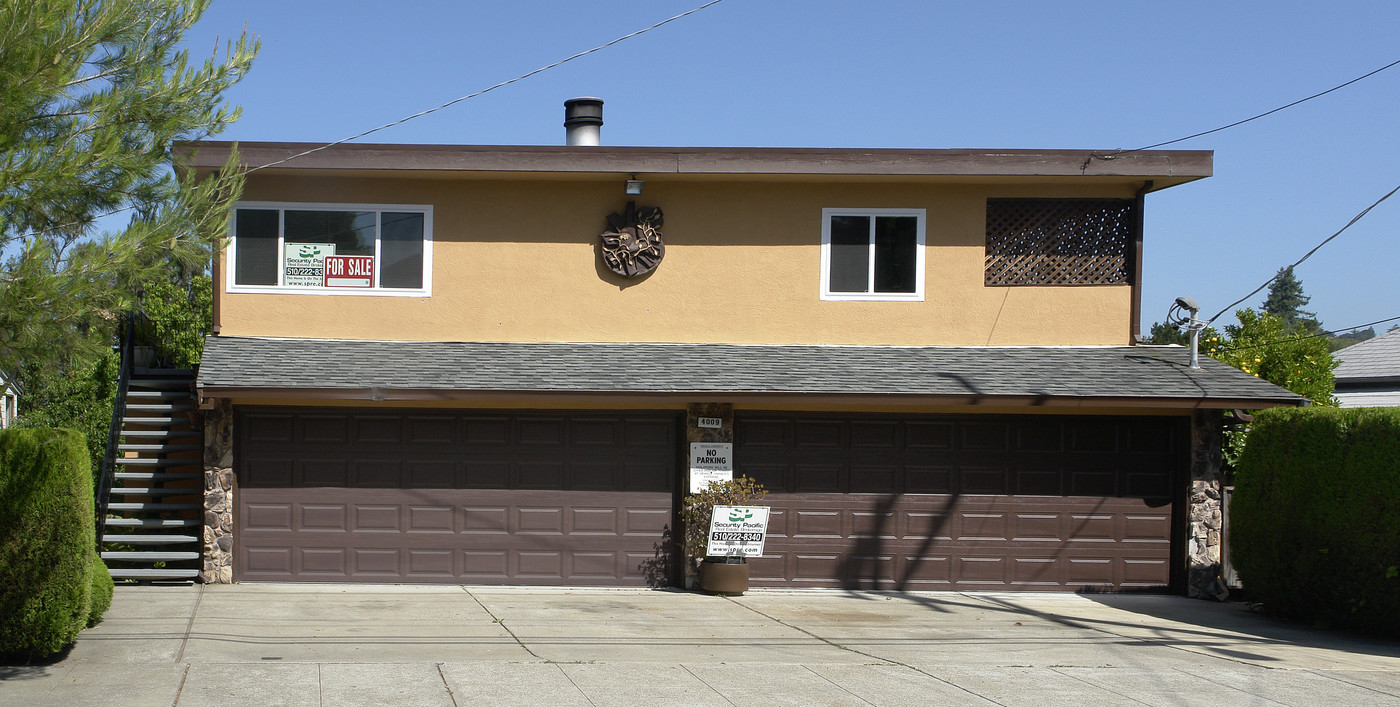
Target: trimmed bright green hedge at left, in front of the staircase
[(47, 541)]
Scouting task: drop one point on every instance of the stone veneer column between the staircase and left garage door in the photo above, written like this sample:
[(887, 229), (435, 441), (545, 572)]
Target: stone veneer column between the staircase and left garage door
[(219, 495)]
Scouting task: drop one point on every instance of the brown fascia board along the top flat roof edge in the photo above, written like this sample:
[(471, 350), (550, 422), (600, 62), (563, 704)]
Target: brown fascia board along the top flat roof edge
[(1164, 167)]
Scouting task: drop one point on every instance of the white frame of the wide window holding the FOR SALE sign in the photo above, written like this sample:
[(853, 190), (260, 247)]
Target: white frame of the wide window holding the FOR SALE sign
[(232, 253)]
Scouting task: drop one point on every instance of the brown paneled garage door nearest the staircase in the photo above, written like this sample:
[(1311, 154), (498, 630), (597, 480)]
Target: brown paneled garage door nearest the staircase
[(334, 495)]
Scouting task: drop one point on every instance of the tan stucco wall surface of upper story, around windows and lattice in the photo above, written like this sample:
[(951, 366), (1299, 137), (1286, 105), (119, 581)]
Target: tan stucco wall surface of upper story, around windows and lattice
[(517, 261)]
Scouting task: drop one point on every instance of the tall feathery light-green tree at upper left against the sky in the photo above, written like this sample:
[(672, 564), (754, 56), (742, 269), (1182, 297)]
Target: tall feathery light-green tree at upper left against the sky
[(93, 97)]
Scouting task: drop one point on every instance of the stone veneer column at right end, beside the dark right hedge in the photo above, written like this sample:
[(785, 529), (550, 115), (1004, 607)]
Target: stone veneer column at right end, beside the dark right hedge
[(1205, 512)]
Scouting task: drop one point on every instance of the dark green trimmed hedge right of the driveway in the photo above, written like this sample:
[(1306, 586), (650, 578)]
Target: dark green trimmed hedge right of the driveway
[(1315, 521)]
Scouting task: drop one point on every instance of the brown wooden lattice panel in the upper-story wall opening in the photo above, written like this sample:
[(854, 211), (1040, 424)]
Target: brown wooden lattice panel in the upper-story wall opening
[(1059, 241)]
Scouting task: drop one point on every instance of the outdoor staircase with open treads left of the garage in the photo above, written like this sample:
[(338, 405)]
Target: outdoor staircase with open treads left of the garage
[(155, 509)]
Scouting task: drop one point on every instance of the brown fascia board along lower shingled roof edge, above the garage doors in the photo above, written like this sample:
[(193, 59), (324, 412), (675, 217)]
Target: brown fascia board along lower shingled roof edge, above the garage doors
[(681, 398)]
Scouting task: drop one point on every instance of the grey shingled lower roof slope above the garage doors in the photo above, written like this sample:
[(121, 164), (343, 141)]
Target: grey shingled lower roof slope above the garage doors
[(1111, 376)]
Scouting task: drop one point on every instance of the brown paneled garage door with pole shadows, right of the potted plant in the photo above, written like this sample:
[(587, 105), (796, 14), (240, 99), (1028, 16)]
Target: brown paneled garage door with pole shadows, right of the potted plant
[(958, 503)]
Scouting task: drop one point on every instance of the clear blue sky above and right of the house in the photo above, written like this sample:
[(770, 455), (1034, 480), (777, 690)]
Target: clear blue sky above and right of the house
[(827, 73)]
